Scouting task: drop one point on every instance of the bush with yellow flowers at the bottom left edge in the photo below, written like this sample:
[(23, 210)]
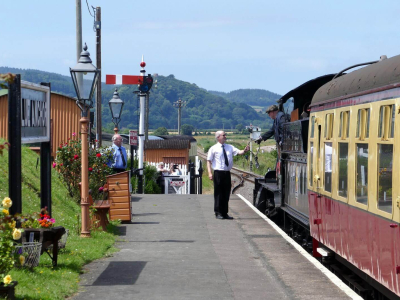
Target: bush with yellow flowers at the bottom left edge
[(8, 234)]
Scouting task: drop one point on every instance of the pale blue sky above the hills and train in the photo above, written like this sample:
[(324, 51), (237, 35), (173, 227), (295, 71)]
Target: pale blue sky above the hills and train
[(217, 44)]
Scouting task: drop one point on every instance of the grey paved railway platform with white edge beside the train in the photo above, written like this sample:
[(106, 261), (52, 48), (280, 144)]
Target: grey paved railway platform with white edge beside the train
[(175, 248)]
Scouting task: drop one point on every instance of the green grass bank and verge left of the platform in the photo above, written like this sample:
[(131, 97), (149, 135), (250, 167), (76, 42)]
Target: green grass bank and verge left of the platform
[(44, 281)]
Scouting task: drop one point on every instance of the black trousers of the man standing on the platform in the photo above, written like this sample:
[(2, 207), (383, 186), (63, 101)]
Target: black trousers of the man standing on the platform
[(222, 191)]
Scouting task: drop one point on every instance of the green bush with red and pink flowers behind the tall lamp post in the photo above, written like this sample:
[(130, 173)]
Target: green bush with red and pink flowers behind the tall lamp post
[(68, 164)]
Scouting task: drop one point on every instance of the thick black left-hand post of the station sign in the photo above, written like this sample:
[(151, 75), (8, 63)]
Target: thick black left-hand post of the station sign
[(14, 138)]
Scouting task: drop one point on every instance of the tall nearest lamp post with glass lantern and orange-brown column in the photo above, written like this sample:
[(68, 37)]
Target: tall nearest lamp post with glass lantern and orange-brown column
[(84, 76)]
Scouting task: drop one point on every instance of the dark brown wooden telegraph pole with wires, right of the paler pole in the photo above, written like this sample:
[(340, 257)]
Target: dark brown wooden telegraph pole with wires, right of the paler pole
[(98, 66)]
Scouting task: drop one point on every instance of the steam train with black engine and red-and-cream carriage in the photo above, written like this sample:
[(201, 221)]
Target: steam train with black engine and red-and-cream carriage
[(337, 187)]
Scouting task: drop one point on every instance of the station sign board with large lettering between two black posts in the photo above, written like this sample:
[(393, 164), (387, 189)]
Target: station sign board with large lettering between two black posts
[(35, 113)]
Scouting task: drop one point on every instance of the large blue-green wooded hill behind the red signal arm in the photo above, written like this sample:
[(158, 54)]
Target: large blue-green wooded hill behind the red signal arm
[(204, 110)]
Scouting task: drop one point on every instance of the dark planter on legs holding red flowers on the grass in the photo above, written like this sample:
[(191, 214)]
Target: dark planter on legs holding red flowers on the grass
[(48, 237)]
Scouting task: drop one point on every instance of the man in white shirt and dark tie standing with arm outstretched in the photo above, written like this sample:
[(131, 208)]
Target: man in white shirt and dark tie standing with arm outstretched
[(220, 158)]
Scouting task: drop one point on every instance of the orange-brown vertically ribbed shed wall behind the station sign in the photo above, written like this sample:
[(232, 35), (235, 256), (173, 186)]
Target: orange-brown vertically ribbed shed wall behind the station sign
[(65, 116)]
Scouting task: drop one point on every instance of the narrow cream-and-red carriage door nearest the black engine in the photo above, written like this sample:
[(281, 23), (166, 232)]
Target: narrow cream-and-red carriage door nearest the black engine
[(314, 181)]
